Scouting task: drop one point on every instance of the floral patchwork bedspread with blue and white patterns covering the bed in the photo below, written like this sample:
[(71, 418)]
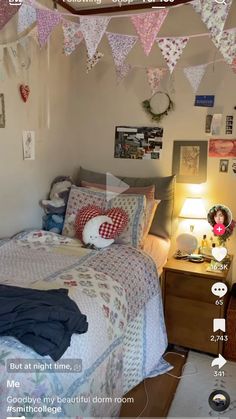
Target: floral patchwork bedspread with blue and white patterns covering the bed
[(118, 290)]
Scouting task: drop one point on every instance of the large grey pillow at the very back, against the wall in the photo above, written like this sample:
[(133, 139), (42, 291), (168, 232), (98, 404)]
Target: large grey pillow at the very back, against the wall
[(164, 190)]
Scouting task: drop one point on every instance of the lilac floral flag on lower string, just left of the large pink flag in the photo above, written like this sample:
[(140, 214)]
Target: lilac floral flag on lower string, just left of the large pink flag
[(120, 45)]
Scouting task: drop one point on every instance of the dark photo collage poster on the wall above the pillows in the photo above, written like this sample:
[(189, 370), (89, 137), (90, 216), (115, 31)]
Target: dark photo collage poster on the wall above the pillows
[(138, 142)]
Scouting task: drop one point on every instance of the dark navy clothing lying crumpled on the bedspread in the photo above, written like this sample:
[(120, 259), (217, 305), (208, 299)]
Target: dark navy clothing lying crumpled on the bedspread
[(43, 320)]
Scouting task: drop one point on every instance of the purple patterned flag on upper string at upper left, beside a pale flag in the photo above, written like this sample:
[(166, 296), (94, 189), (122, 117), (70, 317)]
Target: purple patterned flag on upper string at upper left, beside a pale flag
[(47, 20)]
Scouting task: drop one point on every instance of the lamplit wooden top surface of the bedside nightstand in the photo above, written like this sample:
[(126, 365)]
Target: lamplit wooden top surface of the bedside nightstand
[(195, 268)]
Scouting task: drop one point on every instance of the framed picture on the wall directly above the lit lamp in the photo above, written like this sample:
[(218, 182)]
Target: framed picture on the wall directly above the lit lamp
[(190, 161)]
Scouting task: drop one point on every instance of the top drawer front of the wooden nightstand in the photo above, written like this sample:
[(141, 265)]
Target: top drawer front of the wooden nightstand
[(185, 285)]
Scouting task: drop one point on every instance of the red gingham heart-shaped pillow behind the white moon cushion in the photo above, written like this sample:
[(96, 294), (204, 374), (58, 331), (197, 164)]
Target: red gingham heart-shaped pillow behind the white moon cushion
[(107, 231)]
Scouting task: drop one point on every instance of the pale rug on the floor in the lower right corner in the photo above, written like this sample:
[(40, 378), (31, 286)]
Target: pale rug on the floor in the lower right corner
[(196, 385)]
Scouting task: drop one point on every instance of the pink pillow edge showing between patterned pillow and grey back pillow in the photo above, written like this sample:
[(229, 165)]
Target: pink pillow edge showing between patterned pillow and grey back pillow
[(148, 191)]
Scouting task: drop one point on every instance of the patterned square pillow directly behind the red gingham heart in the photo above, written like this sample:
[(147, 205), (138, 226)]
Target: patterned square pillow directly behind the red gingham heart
[(133, 205)]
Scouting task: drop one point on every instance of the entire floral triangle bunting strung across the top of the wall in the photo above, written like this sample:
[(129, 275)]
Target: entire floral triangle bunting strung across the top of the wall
[(91, 30)]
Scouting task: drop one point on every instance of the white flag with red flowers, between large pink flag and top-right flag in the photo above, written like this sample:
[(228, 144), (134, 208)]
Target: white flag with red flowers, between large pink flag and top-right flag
[(172, 49)]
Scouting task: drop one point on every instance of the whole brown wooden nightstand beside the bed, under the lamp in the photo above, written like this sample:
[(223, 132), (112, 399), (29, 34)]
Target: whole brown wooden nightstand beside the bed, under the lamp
[(189, 304)]
